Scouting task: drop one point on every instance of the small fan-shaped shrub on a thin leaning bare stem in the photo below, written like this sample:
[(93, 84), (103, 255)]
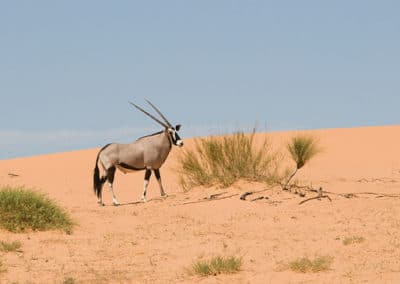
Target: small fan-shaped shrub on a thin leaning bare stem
[(301, 148)]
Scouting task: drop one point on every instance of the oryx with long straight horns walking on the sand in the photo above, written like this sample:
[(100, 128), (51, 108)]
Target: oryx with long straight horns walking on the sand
[(146, 153)]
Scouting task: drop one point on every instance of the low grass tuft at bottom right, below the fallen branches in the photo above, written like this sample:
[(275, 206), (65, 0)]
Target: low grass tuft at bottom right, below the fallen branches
[(304, 264)]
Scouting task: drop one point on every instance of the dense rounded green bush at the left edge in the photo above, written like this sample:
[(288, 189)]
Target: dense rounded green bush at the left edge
[(24, 209)]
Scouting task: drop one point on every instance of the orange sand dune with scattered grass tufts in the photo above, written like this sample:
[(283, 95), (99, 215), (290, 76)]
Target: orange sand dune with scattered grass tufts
[(155, 242)]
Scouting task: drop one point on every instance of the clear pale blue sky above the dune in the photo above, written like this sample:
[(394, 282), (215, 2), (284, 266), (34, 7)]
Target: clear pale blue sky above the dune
[(69, 68)]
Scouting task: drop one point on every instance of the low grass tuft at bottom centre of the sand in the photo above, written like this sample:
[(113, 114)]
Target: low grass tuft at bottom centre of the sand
[(217, 265)]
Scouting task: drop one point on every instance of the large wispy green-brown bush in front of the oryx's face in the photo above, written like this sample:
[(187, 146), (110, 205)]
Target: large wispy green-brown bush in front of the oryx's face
[(224, 160)]
